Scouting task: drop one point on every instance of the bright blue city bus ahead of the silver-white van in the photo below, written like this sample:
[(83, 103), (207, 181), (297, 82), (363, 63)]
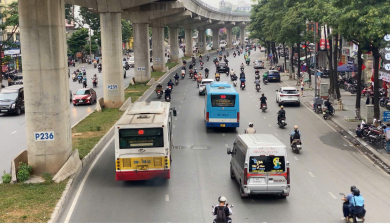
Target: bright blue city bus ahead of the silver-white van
[(222, 106)]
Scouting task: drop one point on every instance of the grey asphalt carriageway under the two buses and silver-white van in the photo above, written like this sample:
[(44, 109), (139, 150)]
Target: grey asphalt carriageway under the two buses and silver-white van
[(326, 166)]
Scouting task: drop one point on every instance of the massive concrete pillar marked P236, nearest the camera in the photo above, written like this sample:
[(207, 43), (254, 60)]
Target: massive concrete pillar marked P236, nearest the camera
[(46, 84)]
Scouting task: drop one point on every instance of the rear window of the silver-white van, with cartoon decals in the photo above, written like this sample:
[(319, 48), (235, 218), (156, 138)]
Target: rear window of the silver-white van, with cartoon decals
[(266, 164)]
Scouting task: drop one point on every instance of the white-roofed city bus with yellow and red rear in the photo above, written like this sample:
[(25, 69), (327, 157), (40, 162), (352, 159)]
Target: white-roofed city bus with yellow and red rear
[(143, 142)]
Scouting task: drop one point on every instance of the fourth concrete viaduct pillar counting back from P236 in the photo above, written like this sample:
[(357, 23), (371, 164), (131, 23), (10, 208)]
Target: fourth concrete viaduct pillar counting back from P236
[(158, 48)]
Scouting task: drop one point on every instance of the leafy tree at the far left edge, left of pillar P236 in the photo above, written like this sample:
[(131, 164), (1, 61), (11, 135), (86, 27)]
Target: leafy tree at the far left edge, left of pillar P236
[(10, 16)]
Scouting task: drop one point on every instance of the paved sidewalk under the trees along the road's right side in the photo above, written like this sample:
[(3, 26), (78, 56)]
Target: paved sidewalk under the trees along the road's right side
[(340, 118)]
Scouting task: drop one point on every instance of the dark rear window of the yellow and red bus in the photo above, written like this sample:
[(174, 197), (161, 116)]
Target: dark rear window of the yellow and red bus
[(141, 138)]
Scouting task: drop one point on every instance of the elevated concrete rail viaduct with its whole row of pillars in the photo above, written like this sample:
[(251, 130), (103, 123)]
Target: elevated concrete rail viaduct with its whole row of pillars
[(43, 43)]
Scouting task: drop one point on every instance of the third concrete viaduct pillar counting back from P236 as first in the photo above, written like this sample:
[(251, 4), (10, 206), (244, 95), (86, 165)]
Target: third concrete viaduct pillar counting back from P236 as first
[(141, 52)]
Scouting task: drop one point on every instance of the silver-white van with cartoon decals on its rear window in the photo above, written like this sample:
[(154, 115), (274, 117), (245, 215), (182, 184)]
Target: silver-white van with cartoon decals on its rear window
[(259, 164)]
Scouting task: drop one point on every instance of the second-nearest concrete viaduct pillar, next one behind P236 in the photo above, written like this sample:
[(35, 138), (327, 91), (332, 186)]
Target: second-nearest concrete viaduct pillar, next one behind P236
[(111, 28)]
